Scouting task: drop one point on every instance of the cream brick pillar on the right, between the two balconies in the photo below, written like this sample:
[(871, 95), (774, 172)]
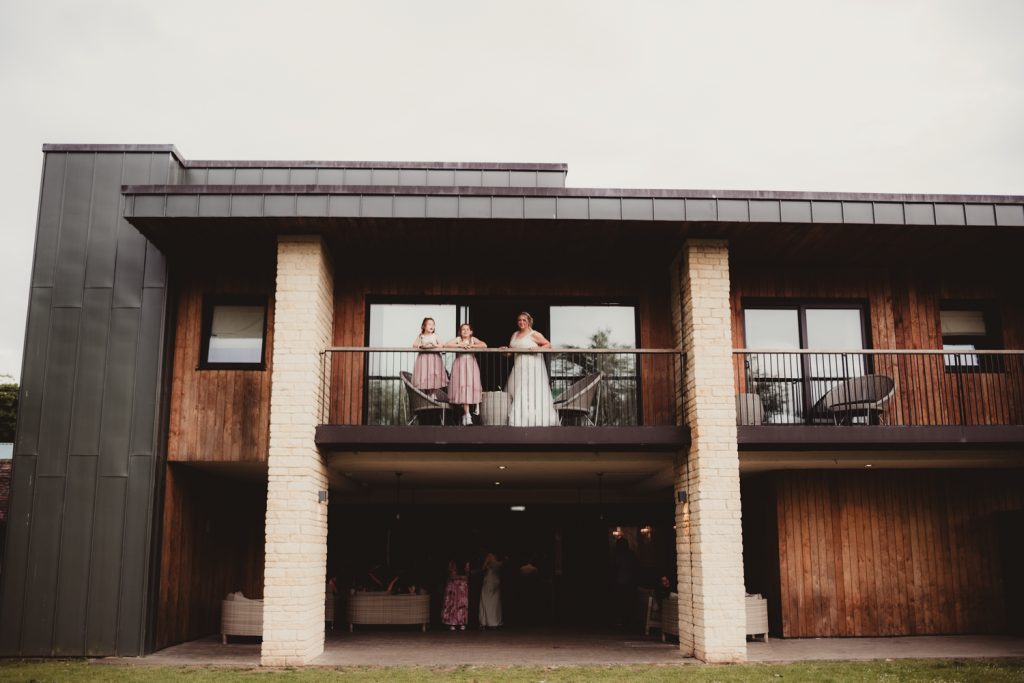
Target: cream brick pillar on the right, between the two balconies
[(709, 535)]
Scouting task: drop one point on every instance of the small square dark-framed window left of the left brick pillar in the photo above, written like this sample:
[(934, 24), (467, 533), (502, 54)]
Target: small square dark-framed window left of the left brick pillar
[(235, 330)]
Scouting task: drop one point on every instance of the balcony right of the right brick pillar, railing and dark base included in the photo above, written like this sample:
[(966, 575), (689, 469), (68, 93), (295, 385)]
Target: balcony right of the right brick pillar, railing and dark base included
[(873, 399)]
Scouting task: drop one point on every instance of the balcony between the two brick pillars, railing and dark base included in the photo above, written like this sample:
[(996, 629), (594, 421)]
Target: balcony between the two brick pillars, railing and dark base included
[(560, 400)]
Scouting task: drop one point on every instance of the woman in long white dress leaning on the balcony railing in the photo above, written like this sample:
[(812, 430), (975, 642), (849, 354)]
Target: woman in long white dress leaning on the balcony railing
[(532, 403)]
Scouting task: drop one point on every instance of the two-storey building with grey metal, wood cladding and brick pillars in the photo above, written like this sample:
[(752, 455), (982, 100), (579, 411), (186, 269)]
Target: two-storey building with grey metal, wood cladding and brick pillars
[(819, 398)]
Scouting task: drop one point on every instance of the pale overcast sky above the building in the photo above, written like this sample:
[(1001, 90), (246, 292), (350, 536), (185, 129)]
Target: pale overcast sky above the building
[(860, 97)]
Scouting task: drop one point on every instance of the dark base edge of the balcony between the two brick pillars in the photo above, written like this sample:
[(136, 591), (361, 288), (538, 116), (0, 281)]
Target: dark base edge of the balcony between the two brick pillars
[(361, 438)]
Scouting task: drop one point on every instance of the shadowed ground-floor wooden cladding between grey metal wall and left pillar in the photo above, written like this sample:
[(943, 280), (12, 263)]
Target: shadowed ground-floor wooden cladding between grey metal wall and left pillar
[(212, 545)]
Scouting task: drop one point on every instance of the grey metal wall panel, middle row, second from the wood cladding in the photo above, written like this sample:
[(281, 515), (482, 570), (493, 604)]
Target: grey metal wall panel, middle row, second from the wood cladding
[(119, 382)]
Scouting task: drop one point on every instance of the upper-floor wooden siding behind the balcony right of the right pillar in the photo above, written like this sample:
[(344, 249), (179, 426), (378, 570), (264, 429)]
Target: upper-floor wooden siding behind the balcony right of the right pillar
[(903, 313)]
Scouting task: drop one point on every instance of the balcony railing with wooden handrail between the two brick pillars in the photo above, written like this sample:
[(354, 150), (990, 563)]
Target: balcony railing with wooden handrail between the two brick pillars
[(544, 388)]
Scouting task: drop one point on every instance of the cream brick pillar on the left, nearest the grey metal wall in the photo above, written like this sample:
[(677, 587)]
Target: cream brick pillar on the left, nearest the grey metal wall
[(296, 521)]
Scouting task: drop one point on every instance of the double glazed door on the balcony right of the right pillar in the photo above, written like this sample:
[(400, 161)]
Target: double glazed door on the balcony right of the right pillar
[(789, 385)]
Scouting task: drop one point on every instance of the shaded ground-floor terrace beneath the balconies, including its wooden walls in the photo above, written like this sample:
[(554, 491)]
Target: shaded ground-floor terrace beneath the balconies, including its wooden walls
[(910, 547)]
